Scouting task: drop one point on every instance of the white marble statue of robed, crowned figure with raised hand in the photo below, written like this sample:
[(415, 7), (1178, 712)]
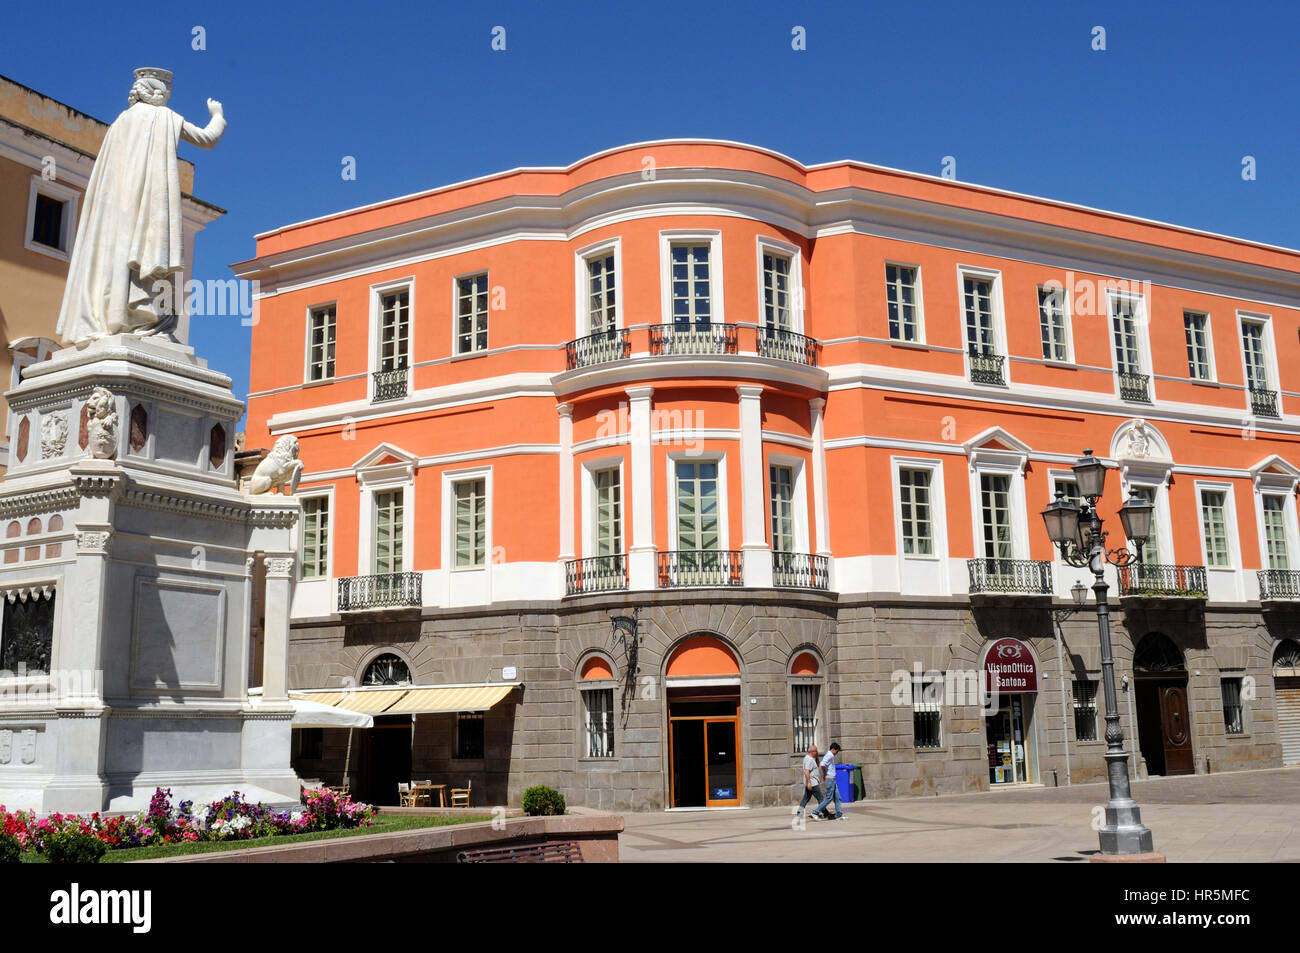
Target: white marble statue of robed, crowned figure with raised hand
[(131, 237)]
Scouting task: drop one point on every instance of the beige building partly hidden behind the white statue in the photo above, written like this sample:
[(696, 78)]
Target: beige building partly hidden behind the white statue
[(47, 151)]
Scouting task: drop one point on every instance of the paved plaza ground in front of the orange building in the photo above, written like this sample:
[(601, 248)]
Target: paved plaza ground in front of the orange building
[(1242, 817)]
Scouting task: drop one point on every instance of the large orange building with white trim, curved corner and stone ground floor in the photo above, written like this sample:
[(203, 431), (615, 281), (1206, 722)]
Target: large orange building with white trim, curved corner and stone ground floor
[(792, 427)]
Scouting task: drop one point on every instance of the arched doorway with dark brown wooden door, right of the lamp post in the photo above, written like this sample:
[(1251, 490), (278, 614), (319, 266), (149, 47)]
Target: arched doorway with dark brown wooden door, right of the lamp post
[(1164, 724)]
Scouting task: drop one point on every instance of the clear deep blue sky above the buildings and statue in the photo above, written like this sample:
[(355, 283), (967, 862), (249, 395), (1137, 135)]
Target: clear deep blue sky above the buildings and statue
[(1156, 125)]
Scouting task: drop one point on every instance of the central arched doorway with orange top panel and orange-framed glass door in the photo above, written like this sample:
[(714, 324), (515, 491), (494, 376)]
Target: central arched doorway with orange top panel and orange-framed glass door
[(704, 725)]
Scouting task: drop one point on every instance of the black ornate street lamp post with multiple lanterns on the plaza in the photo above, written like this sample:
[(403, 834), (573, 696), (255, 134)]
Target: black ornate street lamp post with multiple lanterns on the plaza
[(1077, 532)]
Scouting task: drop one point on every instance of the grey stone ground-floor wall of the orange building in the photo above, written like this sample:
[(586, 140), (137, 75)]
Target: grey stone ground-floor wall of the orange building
[(868, 649)]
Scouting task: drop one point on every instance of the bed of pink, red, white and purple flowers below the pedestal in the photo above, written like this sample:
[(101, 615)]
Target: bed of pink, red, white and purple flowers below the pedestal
[(76, 839)]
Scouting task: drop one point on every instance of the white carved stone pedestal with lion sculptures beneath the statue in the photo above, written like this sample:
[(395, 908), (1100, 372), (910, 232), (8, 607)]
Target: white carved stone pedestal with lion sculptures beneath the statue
[(125, 560)]
